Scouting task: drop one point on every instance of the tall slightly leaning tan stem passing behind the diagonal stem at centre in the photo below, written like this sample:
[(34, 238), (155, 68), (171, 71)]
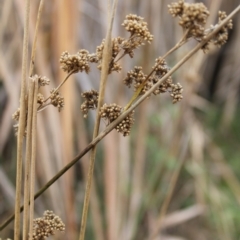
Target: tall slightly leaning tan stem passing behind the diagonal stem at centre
[(107, 53)]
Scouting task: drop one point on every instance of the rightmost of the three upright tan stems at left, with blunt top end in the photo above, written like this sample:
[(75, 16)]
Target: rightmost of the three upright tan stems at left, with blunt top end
[(33, 160)]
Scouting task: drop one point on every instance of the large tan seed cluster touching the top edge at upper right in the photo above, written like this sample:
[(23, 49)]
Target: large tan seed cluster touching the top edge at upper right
[(192, 17)]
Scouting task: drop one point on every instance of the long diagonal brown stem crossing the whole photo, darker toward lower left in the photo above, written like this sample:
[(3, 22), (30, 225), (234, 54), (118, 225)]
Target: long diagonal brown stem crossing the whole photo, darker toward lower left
[(112, 125)]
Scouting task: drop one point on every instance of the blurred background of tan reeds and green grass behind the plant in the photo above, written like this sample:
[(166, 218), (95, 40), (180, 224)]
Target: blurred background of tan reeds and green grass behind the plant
[(177, 176)]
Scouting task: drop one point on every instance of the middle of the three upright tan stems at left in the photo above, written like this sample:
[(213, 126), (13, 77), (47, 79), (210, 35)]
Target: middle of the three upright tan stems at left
[(28, 159)]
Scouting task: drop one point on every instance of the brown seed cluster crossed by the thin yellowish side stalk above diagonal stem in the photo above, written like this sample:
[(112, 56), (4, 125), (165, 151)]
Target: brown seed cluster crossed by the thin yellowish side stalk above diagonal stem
[(137, 77)]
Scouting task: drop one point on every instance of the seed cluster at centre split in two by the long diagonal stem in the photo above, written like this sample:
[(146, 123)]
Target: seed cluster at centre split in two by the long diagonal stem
[(111, 112)]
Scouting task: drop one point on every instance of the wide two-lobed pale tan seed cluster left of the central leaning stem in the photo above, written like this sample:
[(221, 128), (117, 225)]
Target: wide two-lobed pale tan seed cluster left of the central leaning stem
[(78, 62)]
